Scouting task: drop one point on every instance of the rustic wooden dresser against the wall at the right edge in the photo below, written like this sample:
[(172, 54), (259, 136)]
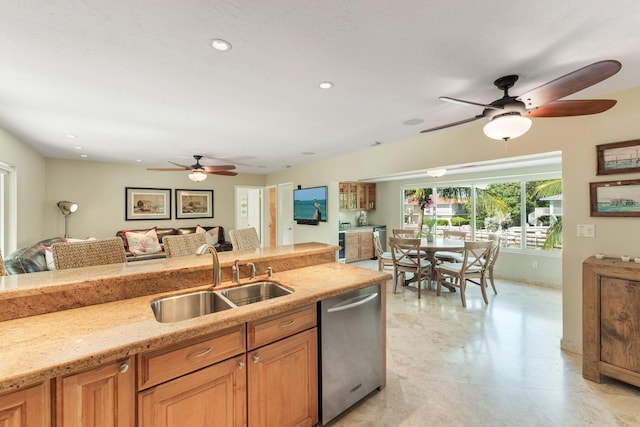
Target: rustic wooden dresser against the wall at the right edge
[(611, 320)]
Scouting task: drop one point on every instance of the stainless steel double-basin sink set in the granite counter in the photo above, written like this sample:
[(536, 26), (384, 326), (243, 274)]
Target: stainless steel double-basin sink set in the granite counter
[(200, 303)]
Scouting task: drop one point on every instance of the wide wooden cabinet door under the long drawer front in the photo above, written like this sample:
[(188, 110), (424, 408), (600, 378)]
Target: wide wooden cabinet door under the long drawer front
[(211, 397)]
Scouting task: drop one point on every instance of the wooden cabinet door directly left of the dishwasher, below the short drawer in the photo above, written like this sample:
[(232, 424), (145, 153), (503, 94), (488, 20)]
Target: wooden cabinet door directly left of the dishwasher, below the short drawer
[(283, 382)]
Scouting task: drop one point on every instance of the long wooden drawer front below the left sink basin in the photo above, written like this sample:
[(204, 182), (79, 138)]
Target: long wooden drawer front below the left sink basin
[(171, 362)]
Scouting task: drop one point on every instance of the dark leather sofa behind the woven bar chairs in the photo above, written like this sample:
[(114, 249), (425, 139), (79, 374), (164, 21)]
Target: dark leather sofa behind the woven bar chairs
[(32, 259)]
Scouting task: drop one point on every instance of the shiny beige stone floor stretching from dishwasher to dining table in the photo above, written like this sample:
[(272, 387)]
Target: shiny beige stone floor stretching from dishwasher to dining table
[(495, 365)]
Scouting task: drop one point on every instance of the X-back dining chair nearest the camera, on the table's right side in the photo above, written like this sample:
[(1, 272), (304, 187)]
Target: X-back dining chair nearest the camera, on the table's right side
[(473, 266)]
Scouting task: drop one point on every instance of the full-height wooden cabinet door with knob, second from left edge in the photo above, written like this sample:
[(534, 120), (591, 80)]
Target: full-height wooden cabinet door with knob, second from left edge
[(101, 397)]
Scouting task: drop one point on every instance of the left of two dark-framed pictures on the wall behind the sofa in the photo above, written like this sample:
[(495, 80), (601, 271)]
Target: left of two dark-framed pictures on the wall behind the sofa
[(147, 203)]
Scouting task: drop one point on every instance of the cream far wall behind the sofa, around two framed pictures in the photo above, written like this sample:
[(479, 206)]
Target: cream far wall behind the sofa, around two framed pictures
[(99, 190)]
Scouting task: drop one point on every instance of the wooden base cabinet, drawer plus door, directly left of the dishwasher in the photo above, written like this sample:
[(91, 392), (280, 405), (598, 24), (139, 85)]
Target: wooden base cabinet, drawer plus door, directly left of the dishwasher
[(288, 365)]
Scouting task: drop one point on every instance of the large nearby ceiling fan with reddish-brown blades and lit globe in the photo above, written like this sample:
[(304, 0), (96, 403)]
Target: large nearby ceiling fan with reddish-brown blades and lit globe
[(510, 115)]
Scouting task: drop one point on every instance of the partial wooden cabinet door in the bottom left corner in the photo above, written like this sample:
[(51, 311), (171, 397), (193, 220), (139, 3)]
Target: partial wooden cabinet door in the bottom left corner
[(28, 407)]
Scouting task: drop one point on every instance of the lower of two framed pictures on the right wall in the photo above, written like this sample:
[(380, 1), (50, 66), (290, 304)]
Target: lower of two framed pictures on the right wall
[(615, 198)]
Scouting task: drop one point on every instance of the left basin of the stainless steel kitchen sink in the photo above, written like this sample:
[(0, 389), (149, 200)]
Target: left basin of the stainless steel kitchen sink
[(188, 306)]
